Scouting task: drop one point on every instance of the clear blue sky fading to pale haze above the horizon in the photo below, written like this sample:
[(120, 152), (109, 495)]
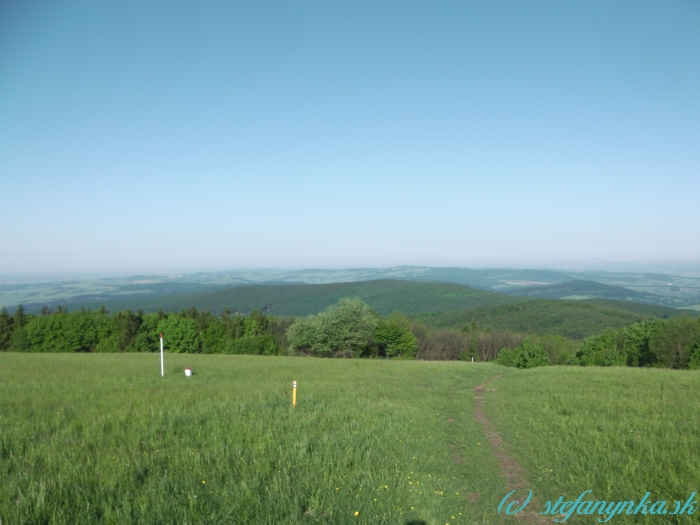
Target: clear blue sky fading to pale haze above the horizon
[(182, 136)]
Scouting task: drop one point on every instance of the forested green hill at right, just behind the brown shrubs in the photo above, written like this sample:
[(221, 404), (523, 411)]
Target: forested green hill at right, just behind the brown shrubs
[(574, 319)]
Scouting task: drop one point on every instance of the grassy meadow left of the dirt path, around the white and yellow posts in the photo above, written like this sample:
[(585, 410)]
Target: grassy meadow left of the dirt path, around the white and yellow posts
[(104, 439)]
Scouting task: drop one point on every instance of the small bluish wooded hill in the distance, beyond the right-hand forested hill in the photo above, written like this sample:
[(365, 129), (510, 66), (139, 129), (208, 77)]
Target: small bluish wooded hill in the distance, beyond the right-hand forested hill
[(583, 290)]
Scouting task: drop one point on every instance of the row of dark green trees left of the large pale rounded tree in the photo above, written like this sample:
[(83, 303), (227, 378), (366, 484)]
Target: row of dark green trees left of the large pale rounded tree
[(189, 331)]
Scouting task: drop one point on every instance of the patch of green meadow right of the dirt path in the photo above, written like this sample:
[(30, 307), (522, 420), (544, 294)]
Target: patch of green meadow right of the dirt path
[(617, 431)]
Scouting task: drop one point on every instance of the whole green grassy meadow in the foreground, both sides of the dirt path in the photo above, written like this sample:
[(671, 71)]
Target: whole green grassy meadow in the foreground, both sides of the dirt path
[(102, 438)]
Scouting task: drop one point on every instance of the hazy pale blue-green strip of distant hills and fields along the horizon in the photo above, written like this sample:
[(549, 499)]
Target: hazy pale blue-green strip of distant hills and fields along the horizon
[(676, 291)]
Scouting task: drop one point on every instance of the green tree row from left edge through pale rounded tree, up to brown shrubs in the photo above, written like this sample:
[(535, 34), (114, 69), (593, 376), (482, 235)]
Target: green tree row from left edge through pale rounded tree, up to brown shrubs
[(348, 329)]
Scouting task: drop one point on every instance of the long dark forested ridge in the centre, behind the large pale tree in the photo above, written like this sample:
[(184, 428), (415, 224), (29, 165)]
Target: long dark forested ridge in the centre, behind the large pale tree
[(385, 296)]
